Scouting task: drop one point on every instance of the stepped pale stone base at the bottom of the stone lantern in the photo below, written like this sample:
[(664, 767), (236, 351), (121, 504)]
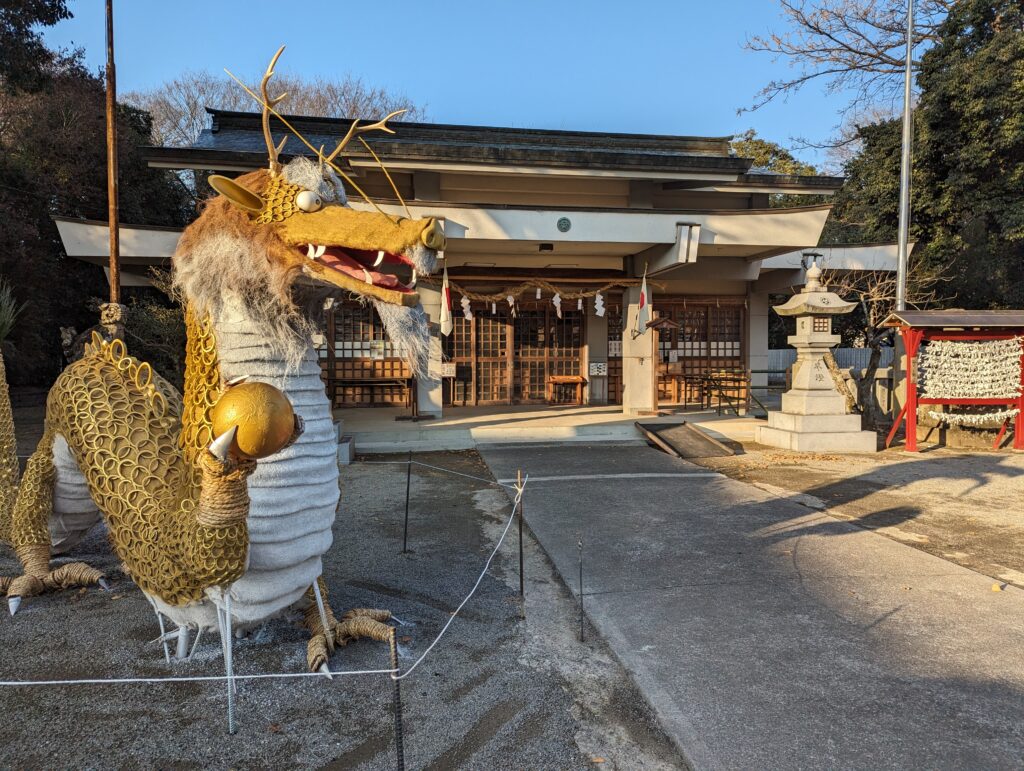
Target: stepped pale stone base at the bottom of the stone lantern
[(817, 434)]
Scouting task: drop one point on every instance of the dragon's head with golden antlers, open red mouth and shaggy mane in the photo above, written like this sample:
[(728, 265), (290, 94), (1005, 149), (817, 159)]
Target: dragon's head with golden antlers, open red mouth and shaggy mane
[(283, 240)]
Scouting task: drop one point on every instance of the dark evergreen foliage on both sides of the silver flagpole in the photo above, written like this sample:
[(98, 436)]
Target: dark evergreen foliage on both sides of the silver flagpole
[(968, 180)]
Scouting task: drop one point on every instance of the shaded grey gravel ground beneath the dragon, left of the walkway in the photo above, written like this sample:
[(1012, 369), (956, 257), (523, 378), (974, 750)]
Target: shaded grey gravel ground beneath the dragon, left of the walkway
[(498, 692)]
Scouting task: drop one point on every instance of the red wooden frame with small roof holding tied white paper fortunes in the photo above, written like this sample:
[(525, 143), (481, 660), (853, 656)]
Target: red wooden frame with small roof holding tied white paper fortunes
[(920, 326)]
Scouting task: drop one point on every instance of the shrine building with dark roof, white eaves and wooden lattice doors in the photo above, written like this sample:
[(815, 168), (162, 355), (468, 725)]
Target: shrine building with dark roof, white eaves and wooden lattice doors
[(578, 210)]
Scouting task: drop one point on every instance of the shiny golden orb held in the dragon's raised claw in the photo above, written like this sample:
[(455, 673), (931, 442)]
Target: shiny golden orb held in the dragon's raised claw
[(264, 415)]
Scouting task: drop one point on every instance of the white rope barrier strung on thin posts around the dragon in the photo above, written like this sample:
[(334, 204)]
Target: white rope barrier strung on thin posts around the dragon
[(396, 673)]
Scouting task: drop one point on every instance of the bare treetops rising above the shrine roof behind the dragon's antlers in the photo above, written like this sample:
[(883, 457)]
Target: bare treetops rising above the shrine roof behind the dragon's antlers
[(179, 107)]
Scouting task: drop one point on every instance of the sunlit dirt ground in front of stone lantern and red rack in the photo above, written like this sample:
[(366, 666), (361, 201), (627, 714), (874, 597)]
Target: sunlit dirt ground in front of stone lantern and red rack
[(966, 507)]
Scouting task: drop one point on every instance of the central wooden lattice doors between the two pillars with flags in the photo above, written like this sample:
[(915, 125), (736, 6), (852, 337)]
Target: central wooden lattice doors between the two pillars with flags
[(504, 360)]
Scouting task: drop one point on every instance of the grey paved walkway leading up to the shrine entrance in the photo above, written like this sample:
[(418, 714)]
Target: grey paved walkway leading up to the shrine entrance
[(769, 635)]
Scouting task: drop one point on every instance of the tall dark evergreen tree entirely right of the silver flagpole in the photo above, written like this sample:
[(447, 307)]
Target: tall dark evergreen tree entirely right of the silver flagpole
[(971, 151)]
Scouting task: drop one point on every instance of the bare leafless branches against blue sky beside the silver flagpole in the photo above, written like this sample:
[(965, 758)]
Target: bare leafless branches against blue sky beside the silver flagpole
[(848, 46)]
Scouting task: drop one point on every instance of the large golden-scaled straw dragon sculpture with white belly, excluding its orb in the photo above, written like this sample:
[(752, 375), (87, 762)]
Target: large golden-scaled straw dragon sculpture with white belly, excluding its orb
[(192, 521)]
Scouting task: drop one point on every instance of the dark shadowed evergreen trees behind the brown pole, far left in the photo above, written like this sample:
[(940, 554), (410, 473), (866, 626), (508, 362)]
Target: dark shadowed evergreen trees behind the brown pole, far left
[(54, 163)]
